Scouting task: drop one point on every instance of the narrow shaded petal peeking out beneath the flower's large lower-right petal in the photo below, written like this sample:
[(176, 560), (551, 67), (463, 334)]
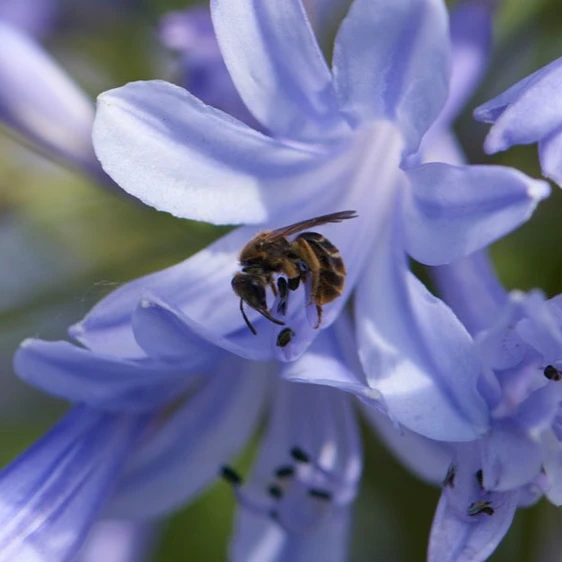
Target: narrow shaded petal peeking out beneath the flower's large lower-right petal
[(426, 458)]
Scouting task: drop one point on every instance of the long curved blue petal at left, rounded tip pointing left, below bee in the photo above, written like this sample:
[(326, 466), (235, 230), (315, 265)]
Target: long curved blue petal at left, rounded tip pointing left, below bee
[(104, 381)]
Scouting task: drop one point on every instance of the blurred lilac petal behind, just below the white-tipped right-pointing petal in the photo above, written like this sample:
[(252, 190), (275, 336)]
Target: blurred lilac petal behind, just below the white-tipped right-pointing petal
[(471, 288)]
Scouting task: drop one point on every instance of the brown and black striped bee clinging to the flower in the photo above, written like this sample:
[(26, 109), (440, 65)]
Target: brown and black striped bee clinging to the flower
[(308, 256)]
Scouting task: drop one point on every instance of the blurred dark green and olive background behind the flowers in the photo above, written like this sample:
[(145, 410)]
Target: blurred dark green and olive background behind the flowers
[(64, 243)]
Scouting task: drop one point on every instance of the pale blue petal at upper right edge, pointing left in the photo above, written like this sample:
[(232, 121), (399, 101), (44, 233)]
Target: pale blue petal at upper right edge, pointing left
[(527, 112)]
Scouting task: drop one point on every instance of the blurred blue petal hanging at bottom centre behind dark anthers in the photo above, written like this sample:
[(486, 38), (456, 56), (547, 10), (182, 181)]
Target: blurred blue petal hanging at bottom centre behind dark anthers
[(320, 422)]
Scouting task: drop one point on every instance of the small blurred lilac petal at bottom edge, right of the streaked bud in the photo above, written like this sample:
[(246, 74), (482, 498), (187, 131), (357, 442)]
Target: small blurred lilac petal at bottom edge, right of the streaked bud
[(119, 541)]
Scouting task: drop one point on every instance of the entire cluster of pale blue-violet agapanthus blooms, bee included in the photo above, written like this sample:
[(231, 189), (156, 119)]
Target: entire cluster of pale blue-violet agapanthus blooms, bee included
[(170, 374)]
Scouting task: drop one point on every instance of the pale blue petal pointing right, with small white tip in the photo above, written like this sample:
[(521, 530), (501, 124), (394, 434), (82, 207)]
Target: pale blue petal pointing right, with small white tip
[(452, 211)]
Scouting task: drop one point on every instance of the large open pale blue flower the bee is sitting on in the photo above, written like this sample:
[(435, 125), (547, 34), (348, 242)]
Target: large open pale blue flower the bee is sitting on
[(340, 139)]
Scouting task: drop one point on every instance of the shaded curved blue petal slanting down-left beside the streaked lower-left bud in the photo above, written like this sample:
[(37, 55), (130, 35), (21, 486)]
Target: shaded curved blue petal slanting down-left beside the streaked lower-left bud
[(185, 453)]
